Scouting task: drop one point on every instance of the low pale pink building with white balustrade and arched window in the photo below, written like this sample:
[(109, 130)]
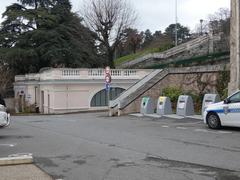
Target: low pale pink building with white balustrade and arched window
[(71, 90)]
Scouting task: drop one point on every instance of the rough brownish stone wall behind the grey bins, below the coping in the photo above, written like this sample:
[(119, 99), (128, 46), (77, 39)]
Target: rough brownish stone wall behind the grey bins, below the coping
[(187, 82)]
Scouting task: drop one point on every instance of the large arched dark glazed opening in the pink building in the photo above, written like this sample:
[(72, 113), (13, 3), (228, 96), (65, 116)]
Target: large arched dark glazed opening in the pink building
[(100, 98)]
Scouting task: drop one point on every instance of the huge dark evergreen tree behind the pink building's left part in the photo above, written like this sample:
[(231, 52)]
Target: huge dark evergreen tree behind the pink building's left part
[(43, 33)]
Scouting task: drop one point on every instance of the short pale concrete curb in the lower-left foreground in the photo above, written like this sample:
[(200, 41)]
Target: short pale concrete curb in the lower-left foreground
[(16, 160)]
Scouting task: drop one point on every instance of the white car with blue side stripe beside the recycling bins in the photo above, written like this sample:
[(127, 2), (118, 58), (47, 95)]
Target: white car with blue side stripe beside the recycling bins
[(225, 113)]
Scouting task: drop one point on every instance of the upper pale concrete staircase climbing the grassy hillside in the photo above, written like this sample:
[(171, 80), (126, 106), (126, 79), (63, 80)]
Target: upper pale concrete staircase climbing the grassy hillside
[(185, 47)]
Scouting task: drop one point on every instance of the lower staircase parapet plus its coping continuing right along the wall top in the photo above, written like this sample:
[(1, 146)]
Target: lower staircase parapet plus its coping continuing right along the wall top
[(135, 92)]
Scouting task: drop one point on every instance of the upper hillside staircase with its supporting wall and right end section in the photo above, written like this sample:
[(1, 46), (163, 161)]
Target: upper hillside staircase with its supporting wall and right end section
[(203, 45)]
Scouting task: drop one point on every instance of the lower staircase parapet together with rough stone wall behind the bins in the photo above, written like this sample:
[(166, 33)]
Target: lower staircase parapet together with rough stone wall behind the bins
[(185, 78)]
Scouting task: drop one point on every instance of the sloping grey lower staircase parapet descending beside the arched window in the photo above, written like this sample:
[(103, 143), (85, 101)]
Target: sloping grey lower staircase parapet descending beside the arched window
[(136, 90)]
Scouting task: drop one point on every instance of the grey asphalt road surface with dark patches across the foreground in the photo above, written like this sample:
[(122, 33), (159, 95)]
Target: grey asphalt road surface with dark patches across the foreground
[(92, 146)]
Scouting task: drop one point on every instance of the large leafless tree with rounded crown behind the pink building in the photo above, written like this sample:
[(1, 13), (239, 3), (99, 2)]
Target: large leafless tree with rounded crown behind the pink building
[(109, 19)]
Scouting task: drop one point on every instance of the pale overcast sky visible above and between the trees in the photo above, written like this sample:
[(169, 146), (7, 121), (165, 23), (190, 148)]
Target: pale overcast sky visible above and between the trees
[(158, 14)]
